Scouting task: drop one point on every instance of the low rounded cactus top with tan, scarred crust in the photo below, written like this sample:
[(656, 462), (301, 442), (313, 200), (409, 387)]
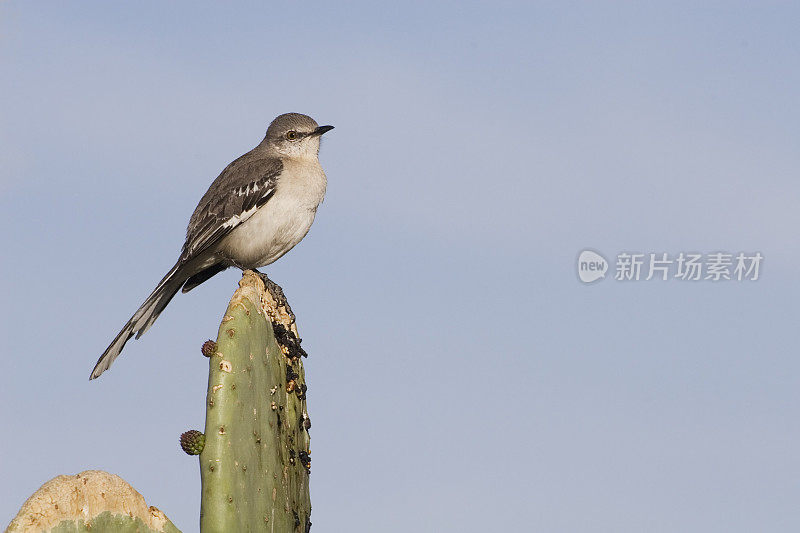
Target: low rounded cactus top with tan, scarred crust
[(90, 501)]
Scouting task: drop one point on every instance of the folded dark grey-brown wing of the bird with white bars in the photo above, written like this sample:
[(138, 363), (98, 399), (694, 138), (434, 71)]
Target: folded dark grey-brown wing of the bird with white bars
[(244, 186)]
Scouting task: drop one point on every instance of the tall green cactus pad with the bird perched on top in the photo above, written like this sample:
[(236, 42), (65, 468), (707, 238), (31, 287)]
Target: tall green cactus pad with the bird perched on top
[(255, 461)]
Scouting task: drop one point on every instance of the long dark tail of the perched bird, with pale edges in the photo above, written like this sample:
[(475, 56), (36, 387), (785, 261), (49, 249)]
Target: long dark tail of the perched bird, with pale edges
[(144, 317)]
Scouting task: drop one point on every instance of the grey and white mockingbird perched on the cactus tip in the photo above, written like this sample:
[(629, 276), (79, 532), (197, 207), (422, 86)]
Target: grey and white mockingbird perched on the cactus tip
[(256, 210)]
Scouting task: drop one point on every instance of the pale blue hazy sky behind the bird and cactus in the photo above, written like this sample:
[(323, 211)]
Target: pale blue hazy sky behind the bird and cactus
[(461, 377)]
